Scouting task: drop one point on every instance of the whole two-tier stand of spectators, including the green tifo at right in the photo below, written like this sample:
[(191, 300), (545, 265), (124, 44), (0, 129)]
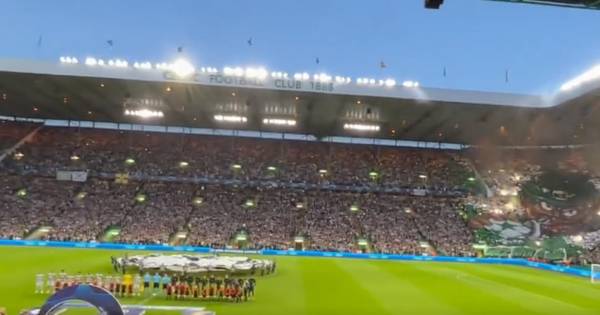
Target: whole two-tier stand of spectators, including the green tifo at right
[(156, 188)]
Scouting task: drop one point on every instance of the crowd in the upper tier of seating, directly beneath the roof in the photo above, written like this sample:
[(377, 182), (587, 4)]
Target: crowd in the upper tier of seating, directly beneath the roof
[(159, 154)]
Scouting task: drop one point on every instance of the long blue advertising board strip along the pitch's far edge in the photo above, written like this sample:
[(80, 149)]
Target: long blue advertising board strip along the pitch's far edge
[(166, 248)]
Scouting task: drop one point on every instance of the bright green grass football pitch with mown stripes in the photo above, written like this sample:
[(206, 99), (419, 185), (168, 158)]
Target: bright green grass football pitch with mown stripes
[(340, 286)]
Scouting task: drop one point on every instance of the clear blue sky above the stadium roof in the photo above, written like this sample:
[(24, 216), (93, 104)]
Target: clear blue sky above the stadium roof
[(475, 40)]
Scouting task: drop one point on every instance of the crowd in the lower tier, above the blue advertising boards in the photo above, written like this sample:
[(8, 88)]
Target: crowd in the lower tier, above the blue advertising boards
[(156, 212)]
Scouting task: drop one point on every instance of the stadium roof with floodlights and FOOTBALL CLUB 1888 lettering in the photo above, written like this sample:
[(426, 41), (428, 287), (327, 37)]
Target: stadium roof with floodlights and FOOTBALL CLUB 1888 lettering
[(320, 105)]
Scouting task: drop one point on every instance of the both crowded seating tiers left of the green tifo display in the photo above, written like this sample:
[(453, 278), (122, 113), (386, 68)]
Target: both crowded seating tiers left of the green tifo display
[(154, 211)]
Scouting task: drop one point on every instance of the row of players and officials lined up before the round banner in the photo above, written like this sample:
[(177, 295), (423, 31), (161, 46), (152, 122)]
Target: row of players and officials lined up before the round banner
[(178, 287)]
